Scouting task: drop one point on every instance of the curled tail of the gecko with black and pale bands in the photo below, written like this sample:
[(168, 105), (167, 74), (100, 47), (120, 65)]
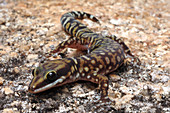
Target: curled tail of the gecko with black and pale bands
[(73, 26)]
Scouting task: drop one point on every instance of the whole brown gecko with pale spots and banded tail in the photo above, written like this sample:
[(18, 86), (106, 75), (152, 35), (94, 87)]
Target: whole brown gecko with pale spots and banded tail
[(104, 55)]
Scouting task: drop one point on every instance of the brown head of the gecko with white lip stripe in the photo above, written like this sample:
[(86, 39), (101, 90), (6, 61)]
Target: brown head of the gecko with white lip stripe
[(48, 75)]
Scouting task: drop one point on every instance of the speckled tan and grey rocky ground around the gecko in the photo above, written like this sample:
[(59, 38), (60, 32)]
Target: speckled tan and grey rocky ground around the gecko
[(28, 29)]
